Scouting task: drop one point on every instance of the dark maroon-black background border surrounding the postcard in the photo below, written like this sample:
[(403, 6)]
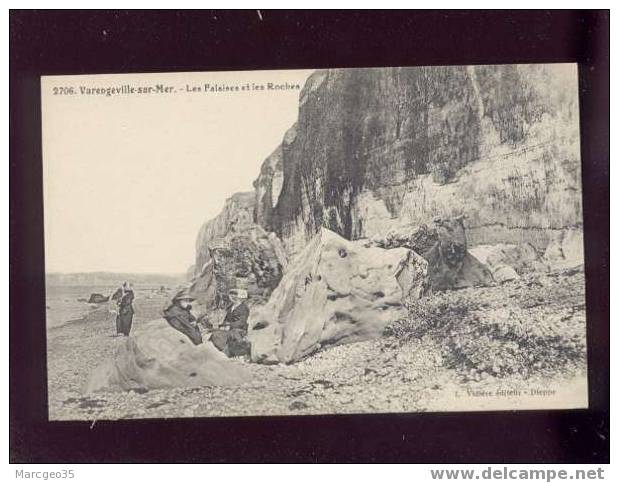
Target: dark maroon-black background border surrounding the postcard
[(46, 42)]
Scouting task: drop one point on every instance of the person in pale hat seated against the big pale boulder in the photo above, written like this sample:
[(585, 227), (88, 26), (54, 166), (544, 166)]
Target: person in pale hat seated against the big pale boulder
[(231, 338)]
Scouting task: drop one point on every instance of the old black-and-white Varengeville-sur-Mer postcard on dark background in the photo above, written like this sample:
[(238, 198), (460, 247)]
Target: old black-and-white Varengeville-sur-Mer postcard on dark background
[(398, 239)]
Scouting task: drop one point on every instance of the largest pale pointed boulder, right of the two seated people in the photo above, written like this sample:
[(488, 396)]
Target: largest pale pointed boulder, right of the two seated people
[(335, 291)]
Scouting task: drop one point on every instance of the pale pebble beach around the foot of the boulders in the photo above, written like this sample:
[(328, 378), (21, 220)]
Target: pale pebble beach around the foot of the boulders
[(390, 374)]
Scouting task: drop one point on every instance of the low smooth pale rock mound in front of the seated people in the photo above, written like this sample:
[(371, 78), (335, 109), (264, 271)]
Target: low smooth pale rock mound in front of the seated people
[(157, 356)]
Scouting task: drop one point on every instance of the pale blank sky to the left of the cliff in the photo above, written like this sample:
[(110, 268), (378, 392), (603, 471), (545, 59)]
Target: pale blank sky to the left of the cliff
[(129, 178)]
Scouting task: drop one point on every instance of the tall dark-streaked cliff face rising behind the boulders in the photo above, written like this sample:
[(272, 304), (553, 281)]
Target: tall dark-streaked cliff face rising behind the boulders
[(378, 149)]
